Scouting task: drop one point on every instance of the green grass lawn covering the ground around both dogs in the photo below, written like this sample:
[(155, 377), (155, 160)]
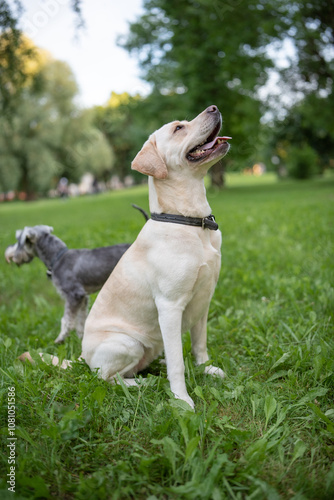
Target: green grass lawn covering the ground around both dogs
[(265, 432)]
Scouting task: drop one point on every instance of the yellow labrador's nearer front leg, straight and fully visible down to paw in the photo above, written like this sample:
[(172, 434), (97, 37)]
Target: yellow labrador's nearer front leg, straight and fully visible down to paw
[(170, 320)]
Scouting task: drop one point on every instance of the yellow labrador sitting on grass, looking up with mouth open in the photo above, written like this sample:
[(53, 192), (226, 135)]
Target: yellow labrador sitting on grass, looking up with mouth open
[(163, 284)]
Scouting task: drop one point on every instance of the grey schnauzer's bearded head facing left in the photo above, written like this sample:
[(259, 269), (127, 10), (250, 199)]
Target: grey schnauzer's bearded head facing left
[(23, 251)]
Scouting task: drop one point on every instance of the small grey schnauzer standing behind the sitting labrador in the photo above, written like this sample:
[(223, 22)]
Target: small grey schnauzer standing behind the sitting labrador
[(75, 273)]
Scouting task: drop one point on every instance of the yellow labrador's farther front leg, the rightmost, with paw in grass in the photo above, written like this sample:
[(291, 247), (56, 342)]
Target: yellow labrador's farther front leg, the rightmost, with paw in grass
[(199, 346)]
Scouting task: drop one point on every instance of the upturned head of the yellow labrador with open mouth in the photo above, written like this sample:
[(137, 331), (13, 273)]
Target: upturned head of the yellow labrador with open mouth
[(193, 145)]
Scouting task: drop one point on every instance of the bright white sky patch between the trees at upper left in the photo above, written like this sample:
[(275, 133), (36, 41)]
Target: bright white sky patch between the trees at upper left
[(99, 65)]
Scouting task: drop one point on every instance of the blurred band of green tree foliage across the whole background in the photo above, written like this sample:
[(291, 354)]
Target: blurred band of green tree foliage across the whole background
[(194, 53)]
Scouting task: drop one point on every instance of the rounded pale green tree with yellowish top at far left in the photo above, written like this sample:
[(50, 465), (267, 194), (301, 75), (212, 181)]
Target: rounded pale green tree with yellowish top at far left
[(46, 138)]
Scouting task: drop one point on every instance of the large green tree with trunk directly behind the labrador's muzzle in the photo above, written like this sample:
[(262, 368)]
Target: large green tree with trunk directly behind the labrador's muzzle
[(203, 52)]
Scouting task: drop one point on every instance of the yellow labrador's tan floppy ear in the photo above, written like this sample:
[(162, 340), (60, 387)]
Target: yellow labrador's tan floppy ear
[(149, 162)]
